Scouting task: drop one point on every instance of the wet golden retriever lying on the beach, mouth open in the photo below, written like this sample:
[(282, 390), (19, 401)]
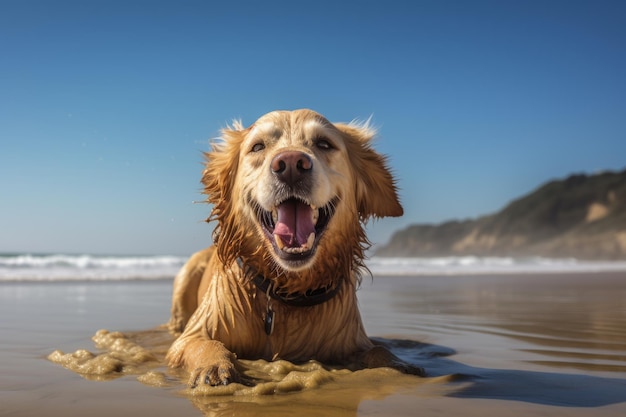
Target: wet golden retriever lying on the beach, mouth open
[(290, 195)]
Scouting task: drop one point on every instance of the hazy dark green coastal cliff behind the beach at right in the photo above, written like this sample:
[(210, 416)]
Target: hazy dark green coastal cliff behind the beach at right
[(582, 216)]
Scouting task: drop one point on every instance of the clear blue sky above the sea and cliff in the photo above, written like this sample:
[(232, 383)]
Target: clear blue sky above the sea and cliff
[(107, 106)]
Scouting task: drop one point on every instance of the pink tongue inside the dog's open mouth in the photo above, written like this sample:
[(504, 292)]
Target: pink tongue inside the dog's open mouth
[(294, 224)]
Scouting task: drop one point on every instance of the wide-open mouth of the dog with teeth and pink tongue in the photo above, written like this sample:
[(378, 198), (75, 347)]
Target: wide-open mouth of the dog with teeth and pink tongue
[(294, 227)]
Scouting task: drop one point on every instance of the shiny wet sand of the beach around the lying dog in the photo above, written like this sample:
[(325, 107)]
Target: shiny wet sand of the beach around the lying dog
[(534, 344)]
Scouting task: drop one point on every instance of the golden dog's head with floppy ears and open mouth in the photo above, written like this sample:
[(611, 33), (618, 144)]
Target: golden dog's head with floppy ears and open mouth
[(294, 187)]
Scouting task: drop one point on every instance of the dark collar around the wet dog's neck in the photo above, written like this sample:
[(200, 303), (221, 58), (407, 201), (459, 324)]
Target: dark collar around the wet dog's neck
[(308, 299)]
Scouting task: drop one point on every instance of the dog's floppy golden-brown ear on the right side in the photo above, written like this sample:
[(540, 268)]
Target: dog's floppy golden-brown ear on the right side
[(376, 191)]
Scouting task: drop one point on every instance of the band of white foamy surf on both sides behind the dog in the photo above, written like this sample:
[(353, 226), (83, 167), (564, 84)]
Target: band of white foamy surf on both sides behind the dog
[(86, 267)]
